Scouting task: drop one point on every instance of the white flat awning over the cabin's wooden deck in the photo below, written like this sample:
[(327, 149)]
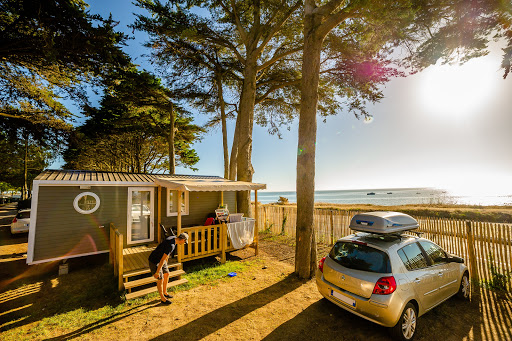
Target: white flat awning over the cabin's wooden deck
[(207, 185)]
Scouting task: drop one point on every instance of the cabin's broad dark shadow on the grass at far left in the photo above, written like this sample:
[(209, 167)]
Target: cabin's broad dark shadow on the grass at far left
[(38, 292)]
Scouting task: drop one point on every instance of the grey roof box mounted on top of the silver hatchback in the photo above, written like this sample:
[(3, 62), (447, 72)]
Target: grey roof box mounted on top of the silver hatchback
[(383, 222)]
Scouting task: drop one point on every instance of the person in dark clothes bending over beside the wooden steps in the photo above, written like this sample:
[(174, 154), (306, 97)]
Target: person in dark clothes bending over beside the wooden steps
[(158, 263)]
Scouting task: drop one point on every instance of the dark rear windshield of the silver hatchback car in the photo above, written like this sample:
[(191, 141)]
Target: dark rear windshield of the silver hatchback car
[(360, 257)]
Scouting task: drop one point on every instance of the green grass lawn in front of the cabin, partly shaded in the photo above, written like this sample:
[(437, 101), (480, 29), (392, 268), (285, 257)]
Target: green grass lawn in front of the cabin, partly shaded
[(48, 306)]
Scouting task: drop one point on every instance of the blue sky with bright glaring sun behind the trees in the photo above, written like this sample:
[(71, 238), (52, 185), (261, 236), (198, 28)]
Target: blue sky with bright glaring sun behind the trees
[(447, 127)]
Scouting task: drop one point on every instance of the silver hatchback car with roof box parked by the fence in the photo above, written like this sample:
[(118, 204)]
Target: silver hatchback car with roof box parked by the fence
[(388, 276)]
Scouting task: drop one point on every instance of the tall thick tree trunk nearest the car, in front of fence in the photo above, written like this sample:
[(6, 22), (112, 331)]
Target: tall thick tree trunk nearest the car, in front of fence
[(305, 252)]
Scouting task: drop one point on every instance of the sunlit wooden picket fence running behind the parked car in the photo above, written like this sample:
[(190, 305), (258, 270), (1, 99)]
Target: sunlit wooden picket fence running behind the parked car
[(485, 247)]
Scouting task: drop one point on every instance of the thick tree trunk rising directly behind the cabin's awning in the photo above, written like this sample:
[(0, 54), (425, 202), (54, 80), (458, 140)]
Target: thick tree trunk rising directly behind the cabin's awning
[(244, 165)]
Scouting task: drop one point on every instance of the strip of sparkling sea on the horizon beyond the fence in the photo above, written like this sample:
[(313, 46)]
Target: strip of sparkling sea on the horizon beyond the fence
[(392, 197)]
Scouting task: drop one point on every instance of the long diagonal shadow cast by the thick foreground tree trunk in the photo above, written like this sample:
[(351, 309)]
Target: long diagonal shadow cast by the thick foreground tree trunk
[(219, 318)]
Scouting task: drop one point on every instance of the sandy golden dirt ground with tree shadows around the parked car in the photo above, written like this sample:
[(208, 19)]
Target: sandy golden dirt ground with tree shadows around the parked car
[(266, 302)]
